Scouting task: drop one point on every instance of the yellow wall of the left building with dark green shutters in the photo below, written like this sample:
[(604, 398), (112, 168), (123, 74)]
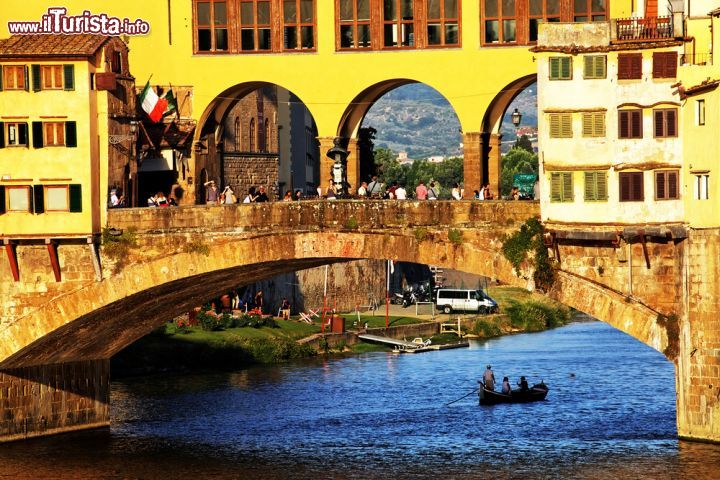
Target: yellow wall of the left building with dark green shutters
[(79, 165)]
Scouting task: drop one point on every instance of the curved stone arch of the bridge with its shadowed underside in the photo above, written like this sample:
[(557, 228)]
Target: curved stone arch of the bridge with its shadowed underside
[(101, 318)]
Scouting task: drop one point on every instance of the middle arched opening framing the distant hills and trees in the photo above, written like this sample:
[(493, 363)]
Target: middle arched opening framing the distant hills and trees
[(402, 130)]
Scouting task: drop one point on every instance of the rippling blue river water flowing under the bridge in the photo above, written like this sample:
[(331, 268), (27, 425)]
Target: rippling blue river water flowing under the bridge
[(610, 413)]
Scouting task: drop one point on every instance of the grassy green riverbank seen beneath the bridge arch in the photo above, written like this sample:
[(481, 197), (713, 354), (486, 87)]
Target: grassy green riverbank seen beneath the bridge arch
[(181, 348)]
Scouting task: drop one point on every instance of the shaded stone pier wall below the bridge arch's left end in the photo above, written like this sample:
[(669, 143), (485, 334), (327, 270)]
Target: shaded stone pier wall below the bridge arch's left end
[(49, 399)]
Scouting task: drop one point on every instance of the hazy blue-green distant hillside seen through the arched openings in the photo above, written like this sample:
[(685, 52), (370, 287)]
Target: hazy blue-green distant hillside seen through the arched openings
[(418, 120)]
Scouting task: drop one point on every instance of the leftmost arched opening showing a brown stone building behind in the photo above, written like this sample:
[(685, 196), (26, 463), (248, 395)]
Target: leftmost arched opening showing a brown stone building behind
[(255, 134)]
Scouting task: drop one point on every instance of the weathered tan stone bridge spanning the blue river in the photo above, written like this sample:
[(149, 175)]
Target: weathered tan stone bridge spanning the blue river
[(56, 337)]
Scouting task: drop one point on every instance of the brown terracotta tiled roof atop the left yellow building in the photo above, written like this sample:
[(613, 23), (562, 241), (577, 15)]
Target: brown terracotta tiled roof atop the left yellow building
[(83, 45)]
